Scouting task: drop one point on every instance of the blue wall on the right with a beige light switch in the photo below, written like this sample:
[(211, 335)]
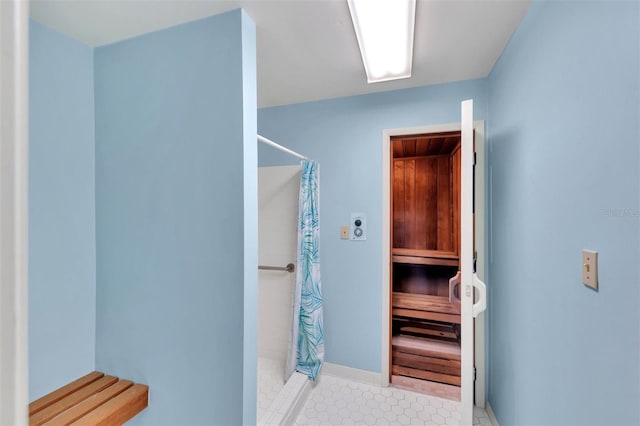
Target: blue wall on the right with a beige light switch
[(564, 134)]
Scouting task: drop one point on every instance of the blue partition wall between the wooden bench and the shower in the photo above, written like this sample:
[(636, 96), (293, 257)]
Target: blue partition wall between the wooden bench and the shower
[(171, 191)]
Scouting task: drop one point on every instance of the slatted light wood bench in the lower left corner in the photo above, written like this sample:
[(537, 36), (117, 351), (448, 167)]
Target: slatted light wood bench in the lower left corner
[(94, 399)]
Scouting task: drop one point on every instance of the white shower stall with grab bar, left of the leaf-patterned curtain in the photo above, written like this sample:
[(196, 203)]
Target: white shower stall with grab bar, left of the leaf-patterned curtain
[(278, 189)]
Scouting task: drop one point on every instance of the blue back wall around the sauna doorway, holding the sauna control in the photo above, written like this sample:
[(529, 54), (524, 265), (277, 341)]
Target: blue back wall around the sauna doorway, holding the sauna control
[(345, 136)]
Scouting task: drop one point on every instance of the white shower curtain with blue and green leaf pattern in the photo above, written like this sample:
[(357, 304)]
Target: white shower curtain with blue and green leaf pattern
[(306, 349)]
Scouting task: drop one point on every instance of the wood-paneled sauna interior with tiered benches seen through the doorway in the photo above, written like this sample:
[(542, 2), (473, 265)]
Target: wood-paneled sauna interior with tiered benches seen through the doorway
[(425, 217)]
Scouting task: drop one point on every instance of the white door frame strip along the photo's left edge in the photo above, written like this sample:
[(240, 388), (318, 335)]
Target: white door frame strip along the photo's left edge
[(14, 112)]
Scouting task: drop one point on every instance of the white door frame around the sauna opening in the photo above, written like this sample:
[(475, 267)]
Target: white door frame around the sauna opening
[(386, 244)]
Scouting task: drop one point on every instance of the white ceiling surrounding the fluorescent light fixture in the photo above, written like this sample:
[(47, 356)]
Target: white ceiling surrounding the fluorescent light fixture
[(307, 49)]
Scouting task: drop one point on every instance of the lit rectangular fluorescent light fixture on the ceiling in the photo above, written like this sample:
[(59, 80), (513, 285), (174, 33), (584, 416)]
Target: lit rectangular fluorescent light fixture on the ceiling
[(384, 29)]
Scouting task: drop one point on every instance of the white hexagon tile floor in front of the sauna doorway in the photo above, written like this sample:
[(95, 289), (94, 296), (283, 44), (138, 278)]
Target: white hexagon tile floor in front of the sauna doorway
[(336, 401)]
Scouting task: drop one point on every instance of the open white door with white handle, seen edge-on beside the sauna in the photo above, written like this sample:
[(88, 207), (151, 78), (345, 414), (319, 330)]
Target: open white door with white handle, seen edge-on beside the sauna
[(469, 278)]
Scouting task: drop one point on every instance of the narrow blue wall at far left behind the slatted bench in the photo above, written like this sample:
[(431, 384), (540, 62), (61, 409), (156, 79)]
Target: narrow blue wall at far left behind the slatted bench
[(62, 280)]
